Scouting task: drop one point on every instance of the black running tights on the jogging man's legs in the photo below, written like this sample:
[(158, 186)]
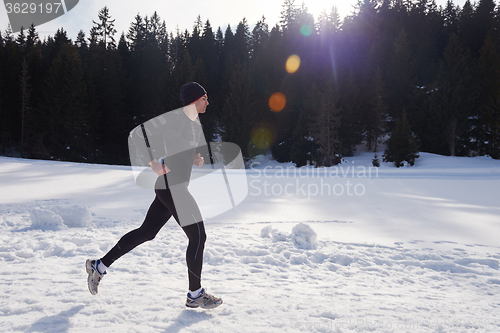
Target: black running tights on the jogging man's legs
[(158, 214)]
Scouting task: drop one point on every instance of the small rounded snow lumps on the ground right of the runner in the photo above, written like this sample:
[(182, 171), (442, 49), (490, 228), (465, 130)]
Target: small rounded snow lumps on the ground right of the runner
[(302, 236)]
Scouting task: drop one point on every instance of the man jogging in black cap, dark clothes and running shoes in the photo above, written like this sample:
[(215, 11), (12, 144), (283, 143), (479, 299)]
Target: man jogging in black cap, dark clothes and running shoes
[(181, 134)]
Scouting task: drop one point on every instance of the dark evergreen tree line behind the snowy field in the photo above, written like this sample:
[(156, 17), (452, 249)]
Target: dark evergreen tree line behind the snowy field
[(354, 80)]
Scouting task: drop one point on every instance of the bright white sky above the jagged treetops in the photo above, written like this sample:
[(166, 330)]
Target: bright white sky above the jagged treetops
[(181, 13)]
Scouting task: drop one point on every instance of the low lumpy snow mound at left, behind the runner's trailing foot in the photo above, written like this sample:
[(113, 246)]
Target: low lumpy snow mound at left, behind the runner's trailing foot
[(60, 217)]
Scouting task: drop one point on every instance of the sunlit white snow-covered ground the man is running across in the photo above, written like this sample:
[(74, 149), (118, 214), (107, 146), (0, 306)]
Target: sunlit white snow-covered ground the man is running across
[(345, 249)]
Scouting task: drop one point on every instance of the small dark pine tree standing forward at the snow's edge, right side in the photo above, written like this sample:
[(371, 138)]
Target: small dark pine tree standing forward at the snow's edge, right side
[(402, 145)]
